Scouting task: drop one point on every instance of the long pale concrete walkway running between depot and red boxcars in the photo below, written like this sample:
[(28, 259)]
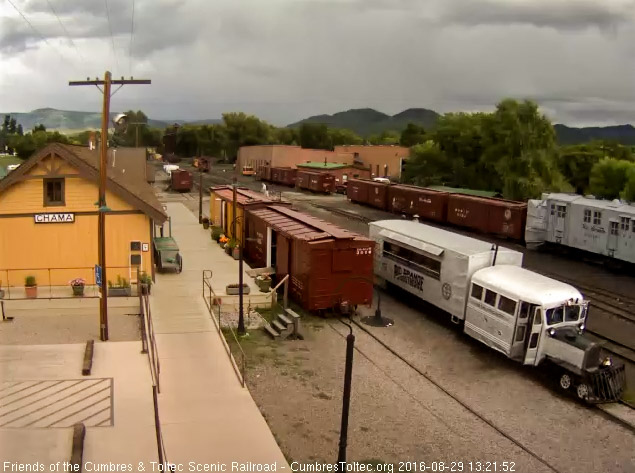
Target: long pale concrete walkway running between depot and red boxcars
[(206, 415)]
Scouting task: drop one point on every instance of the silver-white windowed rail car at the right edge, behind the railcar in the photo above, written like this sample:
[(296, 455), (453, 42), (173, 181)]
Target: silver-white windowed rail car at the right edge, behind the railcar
[(602, 227)]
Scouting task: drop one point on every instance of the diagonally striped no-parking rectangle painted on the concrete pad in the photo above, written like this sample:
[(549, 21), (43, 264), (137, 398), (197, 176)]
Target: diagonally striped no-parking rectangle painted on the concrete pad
[(56, 403)]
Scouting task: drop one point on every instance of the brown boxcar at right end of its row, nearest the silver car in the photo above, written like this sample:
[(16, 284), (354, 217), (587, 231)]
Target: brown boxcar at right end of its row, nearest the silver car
[(499, 217)]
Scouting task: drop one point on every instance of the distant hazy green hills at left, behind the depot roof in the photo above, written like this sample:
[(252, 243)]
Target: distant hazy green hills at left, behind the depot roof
[(69, 120)]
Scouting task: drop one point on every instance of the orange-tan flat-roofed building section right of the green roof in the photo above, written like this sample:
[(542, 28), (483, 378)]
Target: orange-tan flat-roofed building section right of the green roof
[(383, 160)]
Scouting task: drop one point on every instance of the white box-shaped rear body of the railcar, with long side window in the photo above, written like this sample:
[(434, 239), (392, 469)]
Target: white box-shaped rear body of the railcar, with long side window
[(432, 263)]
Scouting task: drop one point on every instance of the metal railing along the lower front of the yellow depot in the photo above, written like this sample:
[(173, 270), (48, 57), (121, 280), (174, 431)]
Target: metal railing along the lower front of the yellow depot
[(57, 282)]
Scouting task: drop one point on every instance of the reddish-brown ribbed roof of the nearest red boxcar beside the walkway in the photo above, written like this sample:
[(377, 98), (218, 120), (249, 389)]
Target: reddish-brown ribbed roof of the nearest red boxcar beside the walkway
[(301, 226)]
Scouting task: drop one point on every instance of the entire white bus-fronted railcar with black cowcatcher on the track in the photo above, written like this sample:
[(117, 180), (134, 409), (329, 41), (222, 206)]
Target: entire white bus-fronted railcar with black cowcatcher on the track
[(530, 318)]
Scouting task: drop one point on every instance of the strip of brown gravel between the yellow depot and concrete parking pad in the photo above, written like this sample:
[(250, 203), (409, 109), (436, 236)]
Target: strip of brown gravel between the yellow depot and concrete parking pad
[(49, 330)]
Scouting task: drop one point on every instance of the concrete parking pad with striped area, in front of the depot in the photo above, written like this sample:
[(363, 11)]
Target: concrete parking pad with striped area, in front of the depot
[(43, 393)]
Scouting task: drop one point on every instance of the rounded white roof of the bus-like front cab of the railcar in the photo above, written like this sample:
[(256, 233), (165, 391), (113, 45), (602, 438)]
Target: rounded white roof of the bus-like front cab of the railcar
[(525, 285)]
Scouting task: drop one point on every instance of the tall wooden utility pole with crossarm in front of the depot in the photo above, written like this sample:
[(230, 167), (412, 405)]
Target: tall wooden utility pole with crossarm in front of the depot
[(103, 163)]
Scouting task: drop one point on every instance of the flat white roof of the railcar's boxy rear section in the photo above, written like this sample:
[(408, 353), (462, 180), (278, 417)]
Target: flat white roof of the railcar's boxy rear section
[(420, 232)]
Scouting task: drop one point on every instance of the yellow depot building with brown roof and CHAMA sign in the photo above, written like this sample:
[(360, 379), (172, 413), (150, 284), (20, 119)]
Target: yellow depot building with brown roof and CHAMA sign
[(48, 217)]
